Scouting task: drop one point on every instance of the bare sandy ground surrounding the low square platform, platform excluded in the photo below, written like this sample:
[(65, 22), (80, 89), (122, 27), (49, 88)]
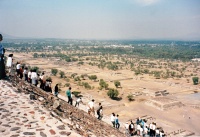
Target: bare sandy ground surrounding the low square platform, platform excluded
[(185, 117)]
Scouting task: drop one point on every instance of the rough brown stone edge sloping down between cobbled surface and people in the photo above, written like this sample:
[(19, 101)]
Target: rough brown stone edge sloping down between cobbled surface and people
[(81, 122)]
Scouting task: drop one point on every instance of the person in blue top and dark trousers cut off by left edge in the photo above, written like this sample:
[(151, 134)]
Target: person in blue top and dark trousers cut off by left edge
[(2, 65)]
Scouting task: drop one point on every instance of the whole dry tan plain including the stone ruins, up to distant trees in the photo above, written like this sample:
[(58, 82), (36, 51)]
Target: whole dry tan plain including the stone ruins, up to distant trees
[(173, 103)]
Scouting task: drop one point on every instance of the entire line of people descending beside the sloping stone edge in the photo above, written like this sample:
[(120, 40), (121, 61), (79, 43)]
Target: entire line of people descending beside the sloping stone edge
[(139, 128)]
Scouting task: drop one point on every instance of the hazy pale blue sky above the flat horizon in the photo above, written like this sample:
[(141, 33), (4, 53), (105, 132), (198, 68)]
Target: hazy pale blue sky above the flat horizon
[(101, 19)]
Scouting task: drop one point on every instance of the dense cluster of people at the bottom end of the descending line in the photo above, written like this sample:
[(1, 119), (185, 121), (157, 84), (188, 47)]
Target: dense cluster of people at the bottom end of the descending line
[(141, 128)]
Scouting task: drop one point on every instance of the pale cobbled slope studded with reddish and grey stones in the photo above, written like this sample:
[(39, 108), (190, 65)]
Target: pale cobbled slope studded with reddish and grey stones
[(20, 116)]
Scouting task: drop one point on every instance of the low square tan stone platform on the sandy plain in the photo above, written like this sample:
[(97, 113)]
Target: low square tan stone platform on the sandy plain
[(164, 103)]
